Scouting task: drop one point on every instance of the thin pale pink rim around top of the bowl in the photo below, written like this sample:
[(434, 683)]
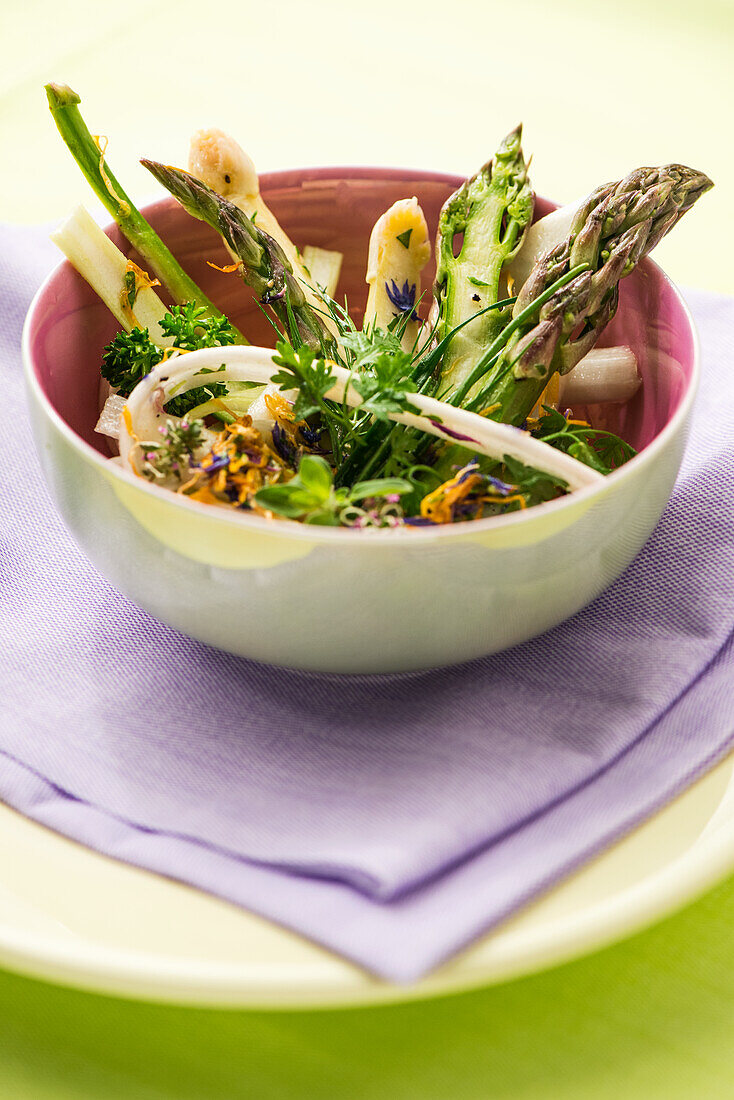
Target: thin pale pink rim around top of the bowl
[(316, 534)]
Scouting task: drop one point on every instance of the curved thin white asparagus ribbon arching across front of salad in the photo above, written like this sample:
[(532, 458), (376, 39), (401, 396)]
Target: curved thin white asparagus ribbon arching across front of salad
[(144, 416)]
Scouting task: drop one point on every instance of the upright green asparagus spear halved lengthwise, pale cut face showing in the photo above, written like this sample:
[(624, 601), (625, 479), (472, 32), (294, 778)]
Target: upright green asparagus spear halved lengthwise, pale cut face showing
[(492, 211)]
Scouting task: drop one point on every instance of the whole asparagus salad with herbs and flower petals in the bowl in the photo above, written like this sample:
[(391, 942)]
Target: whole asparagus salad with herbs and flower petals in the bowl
[(444, 405)]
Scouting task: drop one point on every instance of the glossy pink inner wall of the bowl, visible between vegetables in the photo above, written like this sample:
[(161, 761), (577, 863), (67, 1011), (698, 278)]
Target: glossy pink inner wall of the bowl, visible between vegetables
[(336, 208)]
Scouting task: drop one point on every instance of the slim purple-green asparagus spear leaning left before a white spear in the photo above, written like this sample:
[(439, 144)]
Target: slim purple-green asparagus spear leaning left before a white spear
[(266, 268)]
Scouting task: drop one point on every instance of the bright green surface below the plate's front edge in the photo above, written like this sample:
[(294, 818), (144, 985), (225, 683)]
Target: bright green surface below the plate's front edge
[(653, 1018)]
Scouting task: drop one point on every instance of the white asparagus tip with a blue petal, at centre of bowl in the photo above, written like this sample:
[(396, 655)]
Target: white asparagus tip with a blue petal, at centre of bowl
[(400, 250)]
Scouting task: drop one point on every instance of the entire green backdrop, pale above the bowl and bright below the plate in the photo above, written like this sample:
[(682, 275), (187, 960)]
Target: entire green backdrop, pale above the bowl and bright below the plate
[(600, 92)]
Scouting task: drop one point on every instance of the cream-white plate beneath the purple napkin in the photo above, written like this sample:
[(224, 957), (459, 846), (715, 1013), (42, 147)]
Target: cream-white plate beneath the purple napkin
[(73, 917)]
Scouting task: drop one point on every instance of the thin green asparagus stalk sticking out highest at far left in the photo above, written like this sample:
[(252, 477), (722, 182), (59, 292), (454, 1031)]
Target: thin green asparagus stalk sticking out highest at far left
[(87, 153)]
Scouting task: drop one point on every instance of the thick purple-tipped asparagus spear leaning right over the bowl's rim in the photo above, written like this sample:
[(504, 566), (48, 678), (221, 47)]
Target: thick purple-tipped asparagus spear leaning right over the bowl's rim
[(573, 291)]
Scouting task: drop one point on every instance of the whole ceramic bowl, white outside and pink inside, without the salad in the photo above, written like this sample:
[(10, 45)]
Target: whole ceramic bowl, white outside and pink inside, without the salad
[(328, 599)]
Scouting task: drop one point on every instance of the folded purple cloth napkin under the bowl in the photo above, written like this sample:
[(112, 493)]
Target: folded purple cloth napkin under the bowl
[(392, 818)]
